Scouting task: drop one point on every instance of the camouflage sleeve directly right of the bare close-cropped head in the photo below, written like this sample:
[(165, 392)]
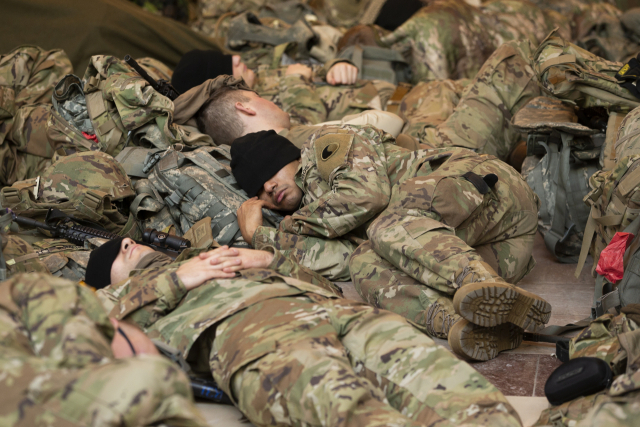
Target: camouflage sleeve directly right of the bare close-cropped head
[(299, 98)]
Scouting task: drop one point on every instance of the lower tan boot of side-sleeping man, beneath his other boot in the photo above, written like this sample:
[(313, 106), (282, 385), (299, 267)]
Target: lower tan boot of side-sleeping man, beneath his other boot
[(474, 342)]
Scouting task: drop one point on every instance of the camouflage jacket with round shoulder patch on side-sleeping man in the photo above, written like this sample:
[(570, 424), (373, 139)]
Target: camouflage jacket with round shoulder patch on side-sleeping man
[(347, 175)]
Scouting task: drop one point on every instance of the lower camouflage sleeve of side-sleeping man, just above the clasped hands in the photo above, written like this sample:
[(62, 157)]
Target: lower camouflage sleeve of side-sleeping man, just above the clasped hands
[(328, 257)]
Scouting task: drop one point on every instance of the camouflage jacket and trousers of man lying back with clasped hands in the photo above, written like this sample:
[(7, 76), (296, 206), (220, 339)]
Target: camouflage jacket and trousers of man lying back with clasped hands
[(285, 368)]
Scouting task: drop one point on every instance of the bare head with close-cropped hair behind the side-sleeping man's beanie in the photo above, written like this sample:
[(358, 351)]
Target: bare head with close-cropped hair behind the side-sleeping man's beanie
[(231, 113)]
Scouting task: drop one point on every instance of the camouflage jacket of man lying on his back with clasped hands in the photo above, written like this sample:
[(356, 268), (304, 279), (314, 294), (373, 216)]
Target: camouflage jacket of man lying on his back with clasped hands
[(157, 300)]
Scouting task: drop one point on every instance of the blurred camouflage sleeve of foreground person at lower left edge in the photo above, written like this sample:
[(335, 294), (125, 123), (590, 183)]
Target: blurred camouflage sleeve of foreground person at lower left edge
[(53, 317)]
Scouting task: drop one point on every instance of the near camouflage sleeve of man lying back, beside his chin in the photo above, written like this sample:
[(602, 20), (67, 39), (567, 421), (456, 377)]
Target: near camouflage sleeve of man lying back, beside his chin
[(144, 298)]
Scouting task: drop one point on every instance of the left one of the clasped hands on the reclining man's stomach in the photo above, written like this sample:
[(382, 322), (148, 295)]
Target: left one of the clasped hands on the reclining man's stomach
[(207, 266)]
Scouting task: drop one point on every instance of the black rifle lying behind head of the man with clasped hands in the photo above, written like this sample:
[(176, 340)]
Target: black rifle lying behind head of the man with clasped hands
[(64, 227)]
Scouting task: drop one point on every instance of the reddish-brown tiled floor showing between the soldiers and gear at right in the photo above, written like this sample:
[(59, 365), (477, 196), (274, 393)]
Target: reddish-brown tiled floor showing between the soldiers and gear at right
[(520, 374)]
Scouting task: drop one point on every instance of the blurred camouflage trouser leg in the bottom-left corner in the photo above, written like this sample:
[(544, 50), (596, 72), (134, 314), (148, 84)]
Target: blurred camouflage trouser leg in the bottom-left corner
[(141, 391)]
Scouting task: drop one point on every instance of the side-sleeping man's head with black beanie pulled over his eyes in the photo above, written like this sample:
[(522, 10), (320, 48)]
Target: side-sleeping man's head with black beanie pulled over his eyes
[(265, 165)]
